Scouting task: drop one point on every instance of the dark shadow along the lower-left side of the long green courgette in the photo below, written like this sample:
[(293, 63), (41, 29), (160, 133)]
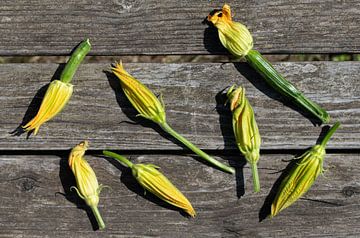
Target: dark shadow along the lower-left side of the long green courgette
[(257, 80)]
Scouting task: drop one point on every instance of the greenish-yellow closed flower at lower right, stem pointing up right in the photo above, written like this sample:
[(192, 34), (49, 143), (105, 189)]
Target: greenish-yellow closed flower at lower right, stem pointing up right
[(302, 175)]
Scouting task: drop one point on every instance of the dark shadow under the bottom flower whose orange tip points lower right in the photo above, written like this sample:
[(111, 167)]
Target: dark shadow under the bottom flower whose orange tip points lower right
[(130, 182)]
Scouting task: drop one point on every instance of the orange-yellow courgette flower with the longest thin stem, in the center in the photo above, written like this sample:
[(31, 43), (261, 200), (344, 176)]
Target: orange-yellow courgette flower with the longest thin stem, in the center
[(147, 104)]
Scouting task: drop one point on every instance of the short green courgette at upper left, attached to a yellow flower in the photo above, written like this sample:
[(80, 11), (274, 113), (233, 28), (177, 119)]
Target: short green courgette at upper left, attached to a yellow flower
[(76, 58)]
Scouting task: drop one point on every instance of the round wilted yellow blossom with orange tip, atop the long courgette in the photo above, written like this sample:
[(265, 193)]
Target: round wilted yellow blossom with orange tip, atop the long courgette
[(234, 36)]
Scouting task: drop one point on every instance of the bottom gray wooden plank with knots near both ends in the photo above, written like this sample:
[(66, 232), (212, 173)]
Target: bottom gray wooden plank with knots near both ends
[(32, 204)]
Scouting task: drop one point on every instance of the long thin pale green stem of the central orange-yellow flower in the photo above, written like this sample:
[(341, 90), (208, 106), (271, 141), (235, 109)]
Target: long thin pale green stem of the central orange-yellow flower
[(196, 150)]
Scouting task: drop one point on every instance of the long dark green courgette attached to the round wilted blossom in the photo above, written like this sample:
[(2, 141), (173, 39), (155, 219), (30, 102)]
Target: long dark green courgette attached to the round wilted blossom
[(284, 87)]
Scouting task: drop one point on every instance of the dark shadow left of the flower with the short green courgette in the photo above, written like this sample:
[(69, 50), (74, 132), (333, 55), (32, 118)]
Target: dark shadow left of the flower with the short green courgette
[(35, 104)]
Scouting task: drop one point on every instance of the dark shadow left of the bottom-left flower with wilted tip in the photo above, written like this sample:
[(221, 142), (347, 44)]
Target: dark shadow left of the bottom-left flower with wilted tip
[(68, 180)]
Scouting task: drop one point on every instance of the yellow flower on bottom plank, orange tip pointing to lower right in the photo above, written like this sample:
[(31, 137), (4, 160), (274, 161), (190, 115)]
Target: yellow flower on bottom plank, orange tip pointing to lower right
[(152, 180)]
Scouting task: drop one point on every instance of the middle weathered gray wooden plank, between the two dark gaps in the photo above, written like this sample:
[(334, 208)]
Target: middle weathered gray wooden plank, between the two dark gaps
[(100, 112)]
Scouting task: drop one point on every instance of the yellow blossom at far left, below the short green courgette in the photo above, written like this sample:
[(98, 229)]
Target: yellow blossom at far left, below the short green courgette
[(55, 99)]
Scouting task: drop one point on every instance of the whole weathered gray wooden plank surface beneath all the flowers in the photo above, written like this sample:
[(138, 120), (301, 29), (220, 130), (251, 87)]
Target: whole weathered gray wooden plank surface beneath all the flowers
[(35, 180)]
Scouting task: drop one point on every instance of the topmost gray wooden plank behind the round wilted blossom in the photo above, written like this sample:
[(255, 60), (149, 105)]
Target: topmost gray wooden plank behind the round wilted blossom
[(174, 27)]
